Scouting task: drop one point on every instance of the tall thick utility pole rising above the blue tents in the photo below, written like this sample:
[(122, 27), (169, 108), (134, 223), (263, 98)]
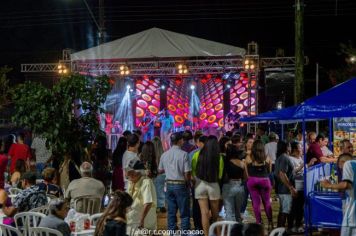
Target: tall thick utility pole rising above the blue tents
[(299, 51)]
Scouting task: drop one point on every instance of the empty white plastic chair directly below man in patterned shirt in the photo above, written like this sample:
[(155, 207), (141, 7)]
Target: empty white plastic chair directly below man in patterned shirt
[(26, 220)]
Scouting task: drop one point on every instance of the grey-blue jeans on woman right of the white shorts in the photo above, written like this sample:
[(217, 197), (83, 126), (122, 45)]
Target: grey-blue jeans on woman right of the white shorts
[(233, 194)]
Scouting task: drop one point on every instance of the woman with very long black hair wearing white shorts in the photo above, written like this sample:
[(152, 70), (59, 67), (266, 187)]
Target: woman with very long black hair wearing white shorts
[(209, 171)]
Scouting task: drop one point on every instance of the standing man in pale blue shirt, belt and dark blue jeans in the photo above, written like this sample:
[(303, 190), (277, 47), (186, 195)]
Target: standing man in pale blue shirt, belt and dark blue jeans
[(175, 163)]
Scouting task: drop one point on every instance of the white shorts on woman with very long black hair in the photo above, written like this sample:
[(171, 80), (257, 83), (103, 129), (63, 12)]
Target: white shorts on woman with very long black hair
[(205, 190)]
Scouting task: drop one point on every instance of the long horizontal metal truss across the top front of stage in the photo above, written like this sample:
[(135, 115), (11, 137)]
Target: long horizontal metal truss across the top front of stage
[(164, 67)]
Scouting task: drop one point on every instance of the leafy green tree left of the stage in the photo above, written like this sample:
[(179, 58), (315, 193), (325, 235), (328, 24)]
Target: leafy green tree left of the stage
[(52, 112)]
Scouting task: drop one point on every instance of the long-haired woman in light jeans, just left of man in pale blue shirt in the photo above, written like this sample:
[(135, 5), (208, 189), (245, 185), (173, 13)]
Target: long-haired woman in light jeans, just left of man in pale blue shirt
[(160, 179)]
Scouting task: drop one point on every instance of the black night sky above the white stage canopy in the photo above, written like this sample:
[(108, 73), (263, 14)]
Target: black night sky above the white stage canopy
[(37, 31)]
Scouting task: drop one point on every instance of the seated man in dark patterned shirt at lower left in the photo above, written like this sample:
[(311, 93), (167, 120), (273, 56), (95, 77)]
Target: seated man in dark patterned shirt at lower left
[(29, 198)]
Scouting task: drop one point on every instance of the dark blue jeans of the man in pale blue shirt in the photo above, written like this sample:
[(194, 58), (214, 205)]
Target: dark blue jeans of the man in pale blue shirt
[(178, 197)]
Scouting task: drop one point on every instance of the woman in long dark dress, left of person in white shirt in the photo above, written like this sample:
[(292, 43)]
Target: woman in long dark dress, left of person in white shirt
[(118, 174)]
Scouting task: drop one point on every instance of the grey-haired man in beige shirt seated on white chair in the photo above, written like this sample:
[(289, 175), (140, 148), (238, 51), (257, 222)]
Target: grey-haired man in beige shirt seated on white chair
[(85, 186)]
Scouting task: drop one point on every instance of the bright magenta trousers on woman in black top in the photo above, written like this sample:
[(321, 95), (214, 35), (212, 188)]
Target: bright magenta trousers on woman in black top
[(260, 188)]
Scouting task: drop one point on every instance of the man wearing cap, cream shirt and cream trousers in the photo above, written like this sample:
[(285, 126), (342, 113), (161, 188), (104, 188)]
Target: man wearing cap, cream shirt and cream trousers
[(143, 192)]
